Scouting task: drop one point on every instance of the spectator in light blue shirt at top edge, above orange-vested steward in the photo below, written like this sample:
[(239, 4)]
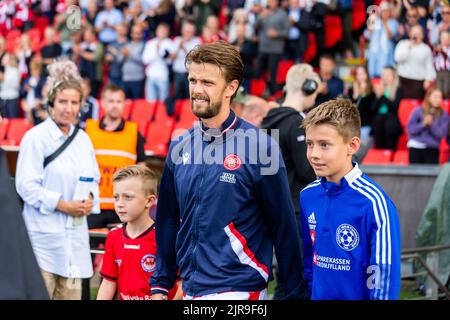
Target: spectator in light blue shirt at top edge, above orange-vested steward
[(106, 21)]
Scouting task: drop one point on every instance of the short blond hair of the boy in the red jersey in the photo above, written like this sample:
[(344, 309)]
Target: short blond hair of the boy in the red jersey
[(148, 177)]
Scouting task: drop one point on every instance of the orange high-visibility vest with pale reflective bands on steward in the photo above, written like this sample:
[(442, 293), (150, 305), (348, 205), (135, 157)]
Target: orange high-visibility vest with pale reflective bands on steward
[(113, 150)]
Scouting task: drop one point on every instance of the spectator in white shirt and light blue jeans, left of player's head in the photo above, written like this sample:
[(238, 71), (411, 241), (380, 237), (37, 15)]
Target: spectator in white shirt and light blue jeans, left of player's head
[(156, 58)]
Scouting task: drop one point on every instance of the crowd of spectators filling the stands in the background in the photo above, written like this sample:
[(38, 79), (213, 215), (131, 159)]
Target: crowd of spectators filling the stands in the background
[(140, 45)]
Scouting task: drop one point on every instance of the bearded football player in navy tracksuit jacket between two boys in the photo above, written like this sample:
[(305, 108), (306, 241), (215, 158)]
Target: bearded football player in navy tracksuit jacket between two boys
[(219, 213)]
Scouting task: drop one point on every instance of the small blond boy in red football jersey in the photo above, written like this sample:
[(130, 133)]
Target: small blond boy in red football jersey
[(130, 254)]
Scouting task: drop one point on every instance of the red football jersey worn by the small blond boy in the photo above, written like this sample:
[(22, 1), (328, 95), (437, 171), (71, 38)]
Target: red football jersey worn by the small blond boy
[(131, 262)]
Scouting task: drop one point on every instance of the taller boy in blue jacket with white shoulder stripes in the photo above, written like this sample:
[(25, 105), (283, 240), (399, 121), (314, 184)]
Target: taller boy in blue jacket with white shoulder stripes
[(351, 234)]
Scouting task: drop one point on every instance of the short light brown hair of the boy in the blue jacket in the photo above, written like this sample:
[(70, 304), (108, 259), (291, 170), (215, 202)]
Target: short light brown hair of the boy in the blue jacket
[(342, 114)]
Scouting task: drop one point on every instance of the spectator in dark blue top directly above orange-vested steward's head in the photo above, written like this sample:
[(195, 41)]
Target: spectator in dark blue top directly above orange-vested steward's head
[(114, 55)]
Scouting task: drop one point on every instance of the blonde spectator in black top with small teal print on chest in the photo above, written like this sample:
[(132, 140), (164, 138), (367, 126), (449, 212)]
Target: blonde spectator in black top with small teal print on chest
[(386, 127)]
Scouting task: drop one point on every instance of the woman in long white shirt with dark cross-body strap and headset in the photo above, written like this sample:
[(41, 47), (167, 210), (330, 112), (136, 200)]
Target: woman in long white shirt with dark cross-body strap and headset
[(58, 197)]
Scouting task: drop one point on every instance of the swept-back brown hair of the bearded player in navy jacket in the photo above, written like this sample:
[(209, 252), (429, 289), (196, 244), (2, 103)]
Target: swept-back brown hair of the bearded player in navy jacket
[(221, 54)]
